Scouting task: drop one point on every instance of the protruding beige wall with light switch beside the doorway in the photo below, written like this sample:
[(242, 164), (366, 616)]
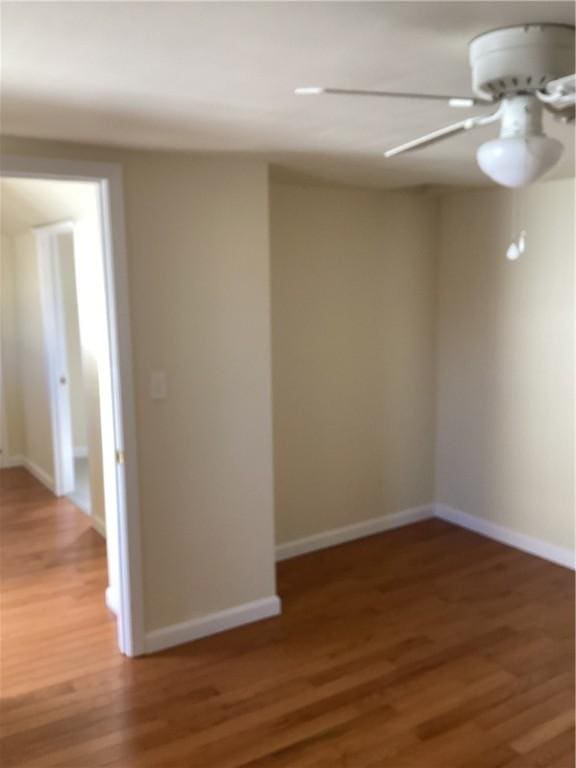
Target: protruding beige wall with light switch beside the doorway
[(199, 287)]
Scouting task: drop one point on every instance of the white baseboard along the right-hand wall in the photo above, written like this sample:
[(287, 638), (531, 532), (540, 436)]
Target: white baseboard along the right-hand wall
[(559, 555)]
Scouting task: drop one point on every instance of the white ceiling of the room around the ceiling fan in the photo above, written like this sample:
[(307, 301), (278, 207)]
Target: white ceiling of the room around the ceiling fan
[(219, 76)]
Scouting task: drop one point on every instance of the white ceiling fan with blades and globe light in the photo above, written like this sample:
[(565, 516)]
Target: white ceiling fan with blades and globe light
[(522, 71)]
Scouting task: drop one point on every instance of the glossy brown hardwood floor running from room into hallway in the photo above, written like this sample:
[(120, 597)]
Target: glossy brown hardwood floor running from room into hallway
[(423, 647)]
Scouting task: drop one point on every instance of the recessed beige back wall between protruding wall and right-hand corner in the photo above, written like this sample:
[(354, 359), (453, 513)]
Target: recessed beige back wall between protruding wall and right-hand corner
[(353, 346)]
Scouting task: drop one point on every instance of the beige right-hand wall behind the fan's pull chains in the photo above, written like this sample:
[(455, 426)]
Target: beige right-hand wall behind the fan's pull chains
[(505, 432)]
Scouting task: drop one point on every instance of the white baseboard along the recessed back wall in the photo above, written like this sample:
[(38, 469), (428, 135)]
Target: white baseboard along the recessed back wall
[(351, 532)]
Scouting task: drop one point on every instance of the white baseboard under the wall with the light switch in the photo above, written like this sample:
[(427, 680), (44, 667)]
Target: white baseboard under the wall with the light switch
[(177, 634)]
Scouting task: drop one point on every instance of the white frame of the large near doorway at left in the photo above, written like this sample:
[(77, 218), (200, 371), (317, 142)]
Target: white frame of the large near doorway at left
[(123, 528)]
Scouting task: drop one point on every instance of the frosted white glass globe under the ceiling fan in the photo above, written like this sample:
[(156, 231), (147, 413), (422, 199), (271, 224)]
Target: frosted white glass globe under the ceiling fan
[(515, 161)]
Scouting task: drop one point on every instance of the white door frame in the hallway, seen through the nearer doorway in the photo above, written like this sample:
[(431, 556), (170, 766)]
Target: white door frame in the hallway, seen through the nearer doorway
[(55, 352)]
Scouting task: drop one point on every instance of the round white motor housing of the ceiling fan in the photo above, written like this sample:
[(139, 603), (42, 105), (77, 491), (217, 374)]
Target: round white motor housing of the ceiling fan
[(520, 59)]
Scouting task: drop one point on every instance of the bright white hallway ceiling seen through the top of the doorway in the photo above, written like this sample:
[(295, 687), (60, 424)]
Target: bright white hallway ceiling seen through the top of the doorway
[(32, 202)]
